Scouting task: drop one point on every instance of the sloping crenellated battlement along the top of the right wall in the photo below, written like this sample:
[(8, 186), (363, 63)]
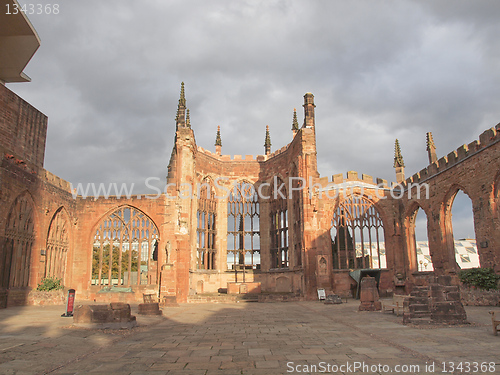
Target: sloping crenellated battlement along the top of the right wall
[(486, 139)]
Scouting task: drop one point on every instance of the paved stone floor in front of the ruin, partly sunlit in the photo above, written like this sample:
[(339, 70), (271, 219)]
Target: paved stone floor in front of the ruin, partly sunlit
[(246, 338)]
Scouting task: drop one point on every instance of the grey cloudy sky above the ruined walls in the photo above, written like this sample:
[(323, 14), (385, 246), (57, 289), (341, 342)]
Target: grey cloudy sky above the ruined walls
[(108, 75)]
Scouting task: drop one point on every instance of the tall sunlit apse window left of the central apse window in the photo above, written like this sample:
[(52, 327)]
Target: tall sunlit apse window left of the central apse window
[(205, 227)]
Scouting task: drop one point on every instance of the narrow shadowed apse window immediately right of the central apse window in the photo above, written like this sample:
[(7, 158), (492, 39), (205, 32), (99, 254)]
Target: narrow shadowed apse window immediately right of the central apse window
[(279, 225)]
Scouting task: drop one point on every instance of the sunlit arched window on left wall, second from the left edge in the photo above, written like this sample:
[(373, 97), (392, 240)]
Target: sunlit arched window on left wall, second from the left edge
[(57, 246)]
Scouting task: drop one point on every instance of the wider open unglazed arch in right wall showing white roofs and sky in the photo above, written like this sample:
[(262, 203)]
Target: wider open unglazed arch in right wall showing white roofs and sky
[(464, 238)]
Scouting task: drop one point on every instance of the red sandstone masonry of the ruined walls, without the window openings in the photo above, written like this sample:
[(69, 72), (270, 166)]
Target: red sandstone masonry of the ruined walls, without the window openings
[(473, 168)]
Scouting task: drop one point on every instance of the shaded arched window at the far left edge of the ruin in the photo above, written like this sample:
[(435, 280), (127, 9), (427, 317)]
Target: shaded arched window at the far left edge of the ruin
[(19, 240)]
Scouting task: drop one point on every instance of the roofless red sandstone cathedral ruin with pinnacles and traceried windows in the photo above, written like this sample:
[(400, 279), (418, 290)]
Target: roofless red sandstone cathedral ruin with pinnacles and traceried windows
[(268, 224)]
